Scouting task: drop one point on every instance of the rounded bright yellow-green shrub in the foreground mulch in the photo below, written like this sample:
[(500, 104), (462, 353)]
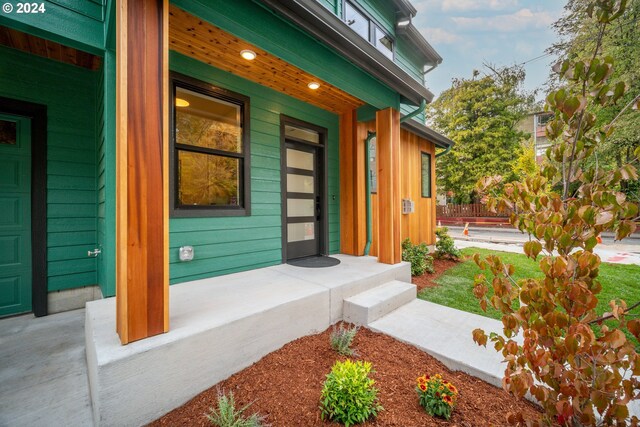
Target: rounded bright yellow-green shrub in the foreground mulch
[(348, 395)]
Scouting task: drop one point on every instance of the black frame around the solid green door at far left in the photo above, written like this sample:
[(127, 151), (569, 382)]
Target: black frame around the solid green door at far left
[(38, 115)]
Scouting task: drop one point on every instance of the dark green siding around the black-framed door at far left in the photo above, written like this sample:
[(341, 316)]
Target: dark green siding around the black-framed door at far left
[(69, 93)]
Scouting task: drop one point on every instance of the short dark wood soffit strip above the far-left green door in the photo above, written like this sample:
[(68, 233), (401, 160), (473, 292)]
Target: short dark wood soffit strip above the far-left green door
[(47, 49)]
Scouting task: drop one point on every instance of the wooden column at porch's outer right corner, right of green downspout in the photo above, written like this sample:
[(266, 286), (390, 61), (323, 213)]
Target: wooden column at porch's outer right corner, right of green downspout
[(389, 174)]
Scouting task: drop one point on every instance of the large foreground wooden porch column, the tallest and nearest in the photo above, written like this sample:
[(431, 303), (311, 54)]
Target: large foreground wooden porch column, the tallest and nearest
[(142, 279)]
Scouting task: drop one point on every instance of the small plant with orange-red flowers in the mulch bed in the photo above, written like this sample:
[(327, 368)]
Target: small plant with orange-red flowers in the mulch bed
[(437, 396)]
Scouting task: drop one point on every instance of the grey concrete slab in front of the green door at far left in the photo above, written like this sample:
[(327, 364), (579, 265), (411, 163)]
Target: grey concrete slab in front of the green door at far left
[(43, 371)]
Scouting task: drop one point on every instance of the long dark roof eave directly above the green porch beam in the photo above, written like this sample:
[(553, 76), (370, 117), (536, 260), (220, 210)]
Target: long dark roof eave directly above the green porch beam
[(328, 28)]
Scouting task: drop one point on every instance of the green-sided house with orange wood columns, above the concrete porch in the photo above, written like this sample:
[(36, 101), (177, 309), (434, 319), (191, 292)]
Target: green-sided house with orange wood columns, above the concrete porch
[(131, 129)]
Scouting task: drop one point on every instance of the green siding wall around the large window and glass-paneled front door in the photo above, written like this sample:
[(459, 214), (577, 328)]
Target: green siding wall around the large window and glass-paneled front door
[(228, 244)]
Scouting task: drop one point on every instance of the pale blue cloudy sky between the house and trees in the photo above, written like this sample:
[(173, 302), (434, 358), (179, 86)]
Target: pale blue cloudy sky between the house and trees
[(468, 33)]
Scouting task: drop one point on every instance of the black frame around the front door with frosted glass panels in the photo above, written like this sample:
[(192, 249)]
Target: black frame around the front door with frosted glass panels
[(321, 173)]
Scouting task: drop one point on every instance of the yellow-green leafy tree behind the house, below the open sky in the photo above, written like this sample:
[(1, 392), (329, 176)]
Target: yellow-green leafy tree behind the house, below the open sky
[(480, 115)]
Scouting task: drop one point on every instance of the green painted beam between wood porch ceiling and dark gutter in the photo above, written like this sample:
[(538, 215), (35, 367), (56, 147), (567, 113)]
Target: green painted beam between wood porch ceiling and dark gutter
[(257, 25)]
